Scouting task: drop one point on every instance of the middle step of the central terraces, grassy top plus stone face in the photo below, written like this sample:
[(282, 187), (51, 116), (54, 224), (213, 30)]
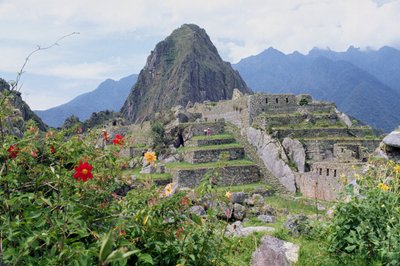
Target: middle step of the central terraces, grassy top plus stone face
[(206, 154)]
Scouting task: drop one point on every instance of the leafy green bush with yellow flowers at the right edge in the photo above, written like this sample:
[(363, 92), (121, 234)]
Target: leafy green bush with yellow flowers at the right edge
[(368, 225)]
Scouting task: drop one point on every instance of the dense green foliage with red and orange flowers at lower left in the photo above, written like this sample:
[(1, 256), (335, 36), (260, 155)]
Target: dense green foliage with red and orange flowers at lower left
[(59, 208)]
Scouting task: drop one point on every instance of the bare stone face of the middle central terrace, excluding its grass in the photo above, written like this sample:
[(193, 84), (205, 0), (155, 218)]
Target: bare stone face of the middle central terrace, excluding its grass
[(206, 156)]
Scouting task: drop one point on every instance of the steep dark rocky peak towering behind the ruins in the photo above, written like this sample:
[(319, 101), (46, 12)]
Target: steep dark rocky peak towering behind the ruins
[(184, 67)]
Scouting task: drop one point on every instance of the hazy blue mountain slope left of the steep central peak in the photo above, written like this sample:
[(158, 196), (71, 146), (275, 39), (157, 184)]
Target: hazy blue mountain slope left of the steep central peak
[(109, 95)]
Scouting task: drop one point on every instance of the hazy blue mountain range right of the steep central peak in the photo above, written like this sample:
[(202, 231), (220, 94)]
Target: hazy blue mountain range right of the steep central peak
[(364, 84)]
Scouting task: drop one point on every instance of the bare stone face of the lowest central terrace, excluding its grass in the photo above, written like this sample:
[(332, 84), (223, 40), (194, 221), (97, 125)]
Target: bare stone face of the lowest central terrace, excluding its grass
[(227, 176)]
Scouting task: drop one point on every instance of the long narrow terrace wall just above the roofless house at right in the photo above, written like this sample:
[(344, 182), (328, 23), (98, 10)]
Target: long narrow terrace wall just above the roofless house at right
[(324, 132)]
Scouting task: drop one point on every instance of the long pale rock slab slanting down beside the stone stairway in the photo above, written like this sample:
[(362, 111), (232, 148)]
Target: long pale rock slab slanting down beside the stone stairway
[(272, 155)]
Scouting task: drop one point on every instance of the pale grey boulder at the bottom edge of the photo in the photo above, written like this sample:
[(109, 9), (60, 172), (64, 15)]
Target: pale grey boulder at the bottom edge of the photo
[(275, 252)]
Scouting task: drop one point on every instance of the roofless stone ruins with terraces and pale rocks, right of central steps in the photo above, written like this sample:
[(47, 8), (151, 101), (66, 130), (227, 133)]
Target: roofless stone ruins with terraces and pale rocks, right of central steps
[(304, 144)]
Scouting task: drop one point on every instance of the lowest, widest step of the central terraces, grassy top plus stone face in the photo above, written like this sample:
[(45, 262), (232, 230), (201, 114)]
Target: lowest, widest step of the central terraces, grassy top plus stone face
[(223, 173)]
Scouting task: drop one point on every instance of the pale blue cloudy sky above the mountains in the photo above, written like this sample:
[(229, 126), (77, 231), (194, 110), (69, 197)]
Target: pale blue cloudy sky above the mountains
[(117, 36)]
